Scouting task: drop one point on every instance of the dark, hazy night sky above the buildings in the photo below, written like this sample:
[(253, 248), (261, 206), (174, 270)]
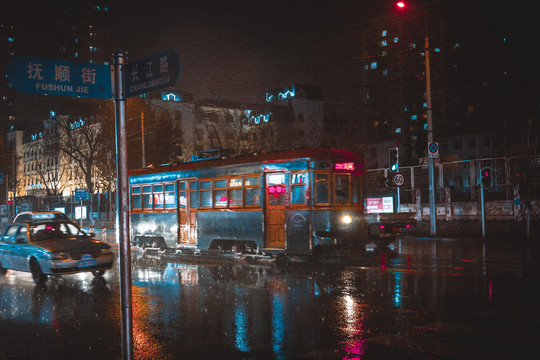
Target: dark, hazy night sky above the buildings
[(238, 49)]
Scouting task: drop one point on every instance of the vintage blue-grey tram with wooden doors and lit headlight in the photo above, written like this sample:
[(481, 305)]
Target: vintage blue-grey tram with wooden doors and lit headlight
[(289, 202)]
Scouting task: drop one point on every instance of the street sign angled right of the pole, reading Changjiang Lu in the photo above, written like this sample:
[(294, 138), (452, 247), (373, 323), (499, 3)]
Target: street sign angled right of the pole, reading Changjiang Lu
[(151, 73)]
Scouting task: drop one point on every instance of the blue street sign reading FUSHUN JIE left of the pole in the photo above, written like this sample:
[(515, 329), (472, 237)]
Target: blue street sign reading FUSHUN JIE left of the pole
[(57, 77)]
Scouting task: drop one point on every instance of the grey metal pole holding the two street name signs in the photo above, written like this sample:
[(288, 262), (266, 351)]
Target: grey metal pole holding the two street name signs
[(119, 58)]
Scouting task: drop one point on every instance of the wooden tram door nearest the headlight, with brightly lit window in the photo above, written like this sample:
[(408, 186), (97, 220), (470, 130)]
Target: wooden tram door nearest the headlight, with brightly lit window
[(277, 195)]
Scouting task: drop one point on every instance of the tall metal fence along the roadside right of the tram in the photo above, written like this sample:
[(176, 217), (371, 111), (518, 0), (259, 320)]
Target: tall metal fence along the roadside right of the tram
[(512, 177)]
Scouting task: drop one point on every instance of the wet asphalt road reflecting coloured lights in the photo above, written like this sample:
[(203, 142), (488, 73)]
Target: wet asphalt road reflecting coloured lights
[(431, 298)]
